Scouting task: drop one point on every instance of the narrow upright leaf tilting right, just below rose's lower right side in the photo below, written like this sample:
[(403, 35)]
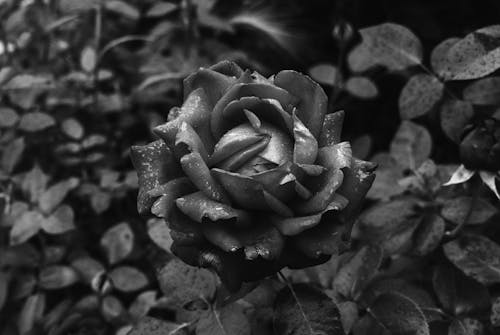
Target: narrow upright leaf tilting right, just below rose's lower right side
[(357, 272)]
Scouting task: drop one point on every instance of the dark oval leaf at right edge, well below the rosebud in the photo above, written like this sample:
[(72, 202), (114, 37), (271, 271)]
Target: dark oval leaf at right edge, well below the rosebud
[(477, 256)]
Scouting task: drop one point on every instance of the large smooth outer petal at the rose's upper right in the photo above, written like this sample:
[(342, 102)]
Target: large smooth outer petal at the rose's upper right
[(313, 100)]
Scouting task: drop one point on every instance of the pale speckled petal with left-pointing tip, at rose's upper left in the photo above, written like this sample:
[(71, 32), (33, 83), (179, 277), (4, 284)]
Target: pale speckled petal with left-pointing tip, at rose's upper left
[(195, 111)]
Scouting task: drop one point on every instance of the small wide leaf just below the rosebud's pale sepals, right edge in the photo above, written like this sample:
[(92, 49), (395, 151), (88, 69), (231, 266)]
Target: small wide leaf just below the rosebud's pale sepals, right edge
[(457, 210)]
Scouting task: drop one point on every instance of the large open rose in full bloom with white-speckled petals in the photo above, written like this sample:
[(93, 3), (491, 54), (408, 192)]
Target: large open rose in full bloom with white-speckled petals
[(250, 174)]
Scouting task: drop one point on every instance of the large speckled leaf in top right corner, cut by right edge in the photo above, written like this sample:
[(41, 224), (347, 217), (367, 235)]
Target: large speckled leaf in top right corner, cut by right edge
[(474, 56)]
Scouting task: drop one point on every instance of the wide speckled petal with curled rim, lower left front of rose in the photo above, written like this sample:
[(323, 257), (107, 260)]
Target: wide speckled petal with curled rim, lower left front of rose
[(199, 207)]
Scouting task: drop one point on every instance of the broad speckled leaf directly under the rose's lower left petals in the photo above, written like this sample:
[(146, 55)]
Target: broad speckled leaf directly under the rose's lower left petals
[(183, 283)]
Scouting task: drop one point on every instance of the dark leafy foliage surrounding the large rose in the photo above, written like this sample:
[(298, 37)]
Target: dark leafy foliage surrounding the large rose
[(83, 80)]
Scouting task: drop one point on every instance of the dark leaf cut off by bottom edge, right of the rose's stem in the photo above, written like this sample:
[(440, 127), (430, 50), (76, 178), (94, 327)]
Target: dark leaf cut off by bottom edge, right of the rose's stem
[(399, 314)]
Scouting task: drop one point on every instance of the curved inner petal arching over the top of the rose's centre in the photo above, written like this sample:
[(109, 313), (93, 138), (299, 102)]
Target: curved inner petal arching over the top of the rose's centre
[(238, 91)]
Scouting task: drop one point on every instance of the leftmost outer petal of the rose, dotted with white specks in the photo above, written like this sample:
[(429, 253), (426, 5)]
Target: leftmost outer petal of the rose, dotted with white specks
[(155, 165)]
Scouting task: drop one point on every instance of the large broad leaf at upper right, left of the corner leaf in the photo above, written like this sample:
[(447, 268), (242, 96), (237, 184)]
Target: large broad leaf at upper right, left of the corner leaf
[(388, 44)]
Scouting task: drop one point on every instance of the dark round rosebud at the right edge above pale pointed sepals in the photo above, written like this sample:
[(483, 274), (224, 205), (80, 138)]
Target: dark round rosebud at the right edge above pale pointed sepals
[(480, 146)]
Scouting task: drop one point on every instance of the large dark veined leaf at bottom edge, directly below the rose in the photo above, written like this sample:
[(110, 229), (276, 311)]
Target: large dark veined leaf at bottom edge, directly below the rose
[(308, 311)]
